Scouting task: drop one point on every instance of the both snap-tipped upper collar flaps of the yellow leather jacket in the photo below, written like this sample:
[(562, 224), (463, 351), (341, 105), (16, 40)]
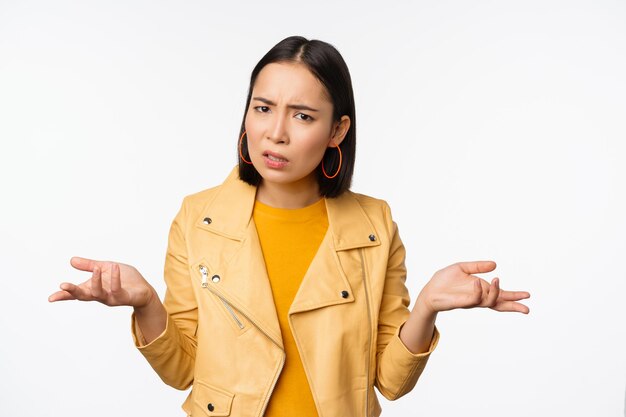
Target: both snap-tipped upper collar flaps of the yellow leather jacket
[(230, 212)]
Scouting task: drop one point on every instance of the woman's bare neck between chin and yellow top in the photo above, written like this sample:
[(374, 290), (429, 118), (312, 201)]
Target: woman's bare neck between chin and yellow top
[(290, 196)]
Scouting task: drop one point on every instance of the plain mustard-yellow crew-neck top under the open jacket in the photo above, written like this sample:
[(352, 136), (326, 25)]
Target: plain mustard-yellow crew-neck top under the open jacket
[(289, 239)]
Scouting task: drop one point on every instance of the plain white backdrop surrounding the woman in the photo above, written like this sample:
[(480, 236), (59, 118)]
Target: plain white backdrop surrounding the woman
[(495, 130)]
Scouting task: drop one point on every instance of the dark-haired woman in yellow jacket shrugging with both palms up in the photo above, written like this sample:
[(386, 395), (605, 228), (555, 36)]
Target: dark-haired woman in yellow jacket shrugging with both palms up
[(285, 290)]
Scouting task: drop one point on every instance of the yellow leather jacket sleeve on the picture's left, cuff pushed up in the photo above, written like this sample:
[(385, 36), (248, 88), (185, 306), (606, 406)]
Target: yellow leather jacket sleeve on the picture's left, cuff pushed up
[(172, 354)]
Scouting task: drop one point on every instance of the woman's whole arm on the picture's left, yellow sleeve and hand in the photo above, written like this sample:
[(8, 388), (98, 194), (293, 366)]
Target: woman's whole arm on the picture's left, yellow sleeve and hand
[(165, 333)]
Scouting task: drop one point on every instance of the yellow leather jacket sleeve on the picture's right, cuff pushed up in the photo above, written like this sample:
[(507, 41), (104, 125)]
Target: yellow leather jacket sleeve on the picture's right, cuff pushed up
[(398, 369)]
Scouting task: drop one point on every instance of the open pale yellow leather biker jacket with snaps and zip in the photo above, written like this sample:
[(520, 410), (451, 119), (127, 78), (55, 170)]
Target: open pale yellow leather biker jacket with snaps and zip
[(222, 332)]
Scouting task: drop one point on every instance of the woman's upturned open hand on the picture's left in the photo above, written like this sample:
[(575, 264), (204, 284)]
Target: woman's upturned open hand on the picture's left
[(111, 283)]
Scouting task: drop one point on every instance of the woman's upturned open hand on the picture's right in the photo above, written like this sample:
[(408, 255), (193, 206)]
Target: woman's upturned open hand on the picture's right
[(455, 287)]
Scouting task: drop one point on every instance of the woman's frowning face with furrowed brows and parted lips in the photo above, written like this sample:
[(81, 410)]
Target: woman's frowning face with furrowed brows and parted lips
[(289, 124)]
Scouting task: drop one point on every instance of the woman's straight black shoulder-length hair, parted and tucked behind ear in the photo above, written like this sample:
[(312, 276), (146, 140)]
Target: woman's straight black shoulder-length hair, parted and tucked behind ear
[(328, 66)]
